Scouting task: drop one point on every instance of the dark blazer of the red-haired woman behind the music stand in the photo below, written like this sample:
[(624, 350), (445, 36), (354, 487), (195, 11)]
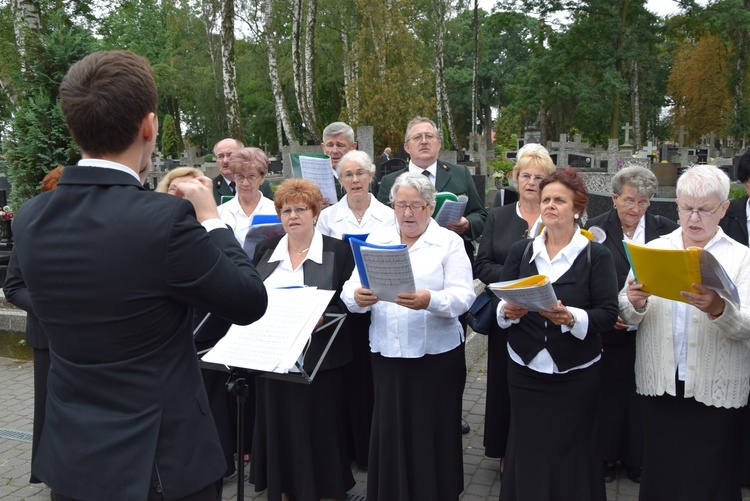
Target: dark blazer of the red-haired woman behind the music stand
[(336, 269)]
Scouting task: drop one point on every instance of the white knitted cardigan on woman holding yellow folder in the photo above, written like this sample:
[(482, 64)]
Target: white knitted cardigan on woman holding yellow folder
[(718, 357)]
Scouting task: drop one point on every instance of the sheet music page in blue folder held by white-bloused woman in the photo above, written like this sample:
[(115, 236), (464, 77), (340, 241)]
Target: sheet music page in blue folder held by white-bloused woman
[(388, 272)]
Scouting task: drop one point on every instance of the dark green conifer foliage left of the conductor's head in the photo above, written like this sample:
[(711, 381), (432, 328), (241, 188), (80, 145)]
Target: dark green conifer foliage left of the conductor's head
[(38, 140)]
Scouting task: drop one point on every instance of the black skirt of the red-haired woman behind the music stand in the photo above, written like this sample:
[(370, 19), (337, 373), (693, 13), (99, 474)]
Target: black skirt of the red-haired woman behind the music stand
[(300, 446)]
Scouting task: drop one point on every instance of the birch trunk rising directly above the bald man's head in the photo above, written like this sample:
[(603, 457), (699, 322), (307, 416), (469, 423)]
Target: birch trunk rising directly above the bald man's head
[(228, 64)]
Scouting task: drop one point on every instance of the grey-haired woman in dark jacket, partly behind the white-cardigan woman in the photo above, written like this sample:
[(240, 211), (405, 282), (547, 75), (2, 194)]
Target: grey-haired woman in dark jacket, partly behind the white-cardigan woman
[(620, 420)]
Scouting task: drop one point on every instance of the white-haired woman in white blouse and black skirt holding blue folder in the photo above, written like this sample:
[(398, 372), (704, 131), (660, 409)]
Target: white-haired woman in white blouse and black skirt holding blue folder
[(417, 355)]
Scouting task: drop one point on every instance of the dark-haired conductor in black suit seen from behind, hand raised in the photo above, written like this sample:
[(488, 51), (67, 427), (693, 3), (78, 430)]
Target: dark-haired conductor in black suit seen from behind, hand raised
[(112, 271)]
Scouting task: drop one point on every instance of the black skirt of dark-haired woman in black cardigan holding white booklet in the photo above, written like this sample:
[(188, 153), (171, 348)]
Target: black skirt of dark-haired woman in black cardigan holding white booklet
[(552, 445)]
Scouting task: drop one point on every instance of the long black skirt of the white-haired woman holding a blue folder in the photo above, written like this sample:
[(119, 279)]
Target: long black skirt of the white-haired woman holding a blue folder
[(416, 451)]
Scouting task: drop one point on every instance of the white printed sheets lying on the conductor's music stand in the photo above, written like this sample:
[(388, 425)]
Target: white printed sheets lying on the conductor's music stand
[(275, 342)]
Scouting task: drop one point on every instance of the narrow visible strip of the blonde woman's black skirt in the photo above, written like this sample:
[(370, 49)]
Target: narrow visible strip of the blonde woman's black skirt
[(497, 406)]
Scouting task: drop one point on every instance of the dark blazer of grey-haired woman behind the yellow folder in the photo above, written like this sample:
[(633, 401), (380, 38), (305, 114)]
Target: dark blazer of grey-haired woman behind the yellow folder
[(610, 223)]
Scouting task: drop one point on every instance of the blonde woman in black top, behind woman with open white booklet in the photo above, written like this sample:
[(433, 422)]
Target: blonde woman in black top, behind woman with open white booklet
[(506, 225)]
